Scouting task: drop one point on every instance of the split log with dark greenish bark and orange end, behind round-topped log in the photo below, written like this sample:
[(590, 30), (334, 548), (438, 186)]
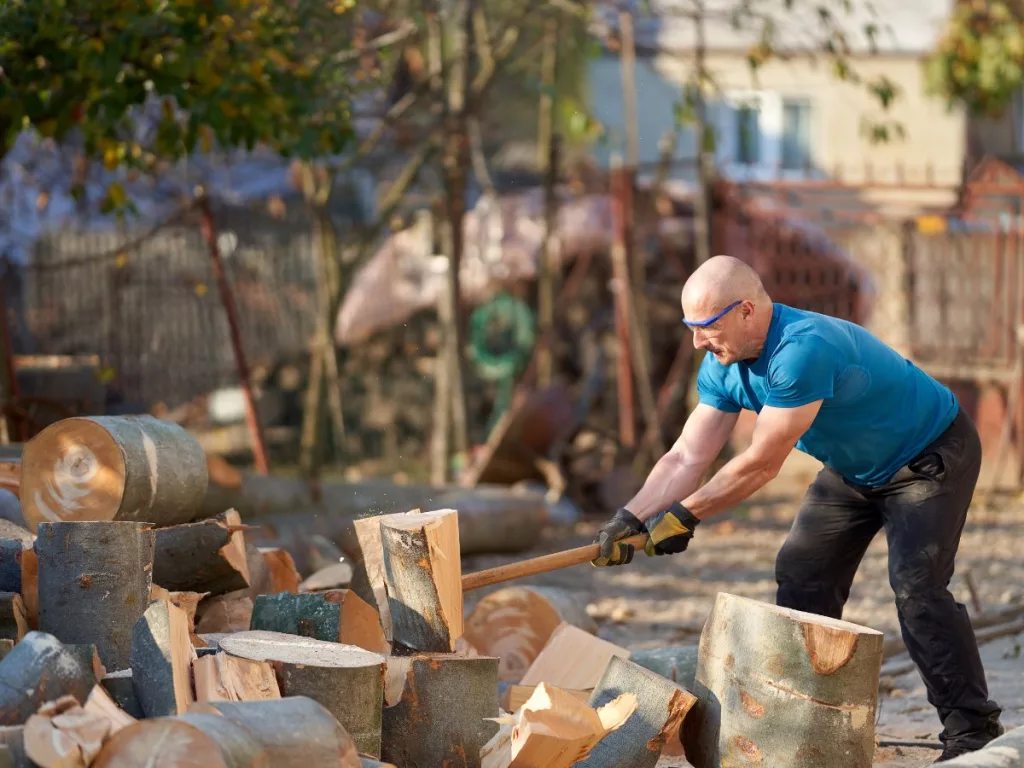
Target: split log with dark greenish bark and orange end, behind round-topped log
[(338, 616)]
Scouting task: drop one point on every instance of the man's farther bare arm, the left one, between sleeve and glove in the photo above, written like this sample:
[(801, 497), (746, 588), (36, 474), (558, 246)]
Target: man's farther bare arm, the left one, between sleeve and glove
[(678, 474)]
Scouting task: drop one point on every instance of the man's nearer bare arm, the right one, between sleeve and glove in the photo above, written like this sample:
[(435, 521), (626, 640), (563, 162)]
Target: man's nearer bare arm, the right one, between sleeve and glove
[(776, 434)]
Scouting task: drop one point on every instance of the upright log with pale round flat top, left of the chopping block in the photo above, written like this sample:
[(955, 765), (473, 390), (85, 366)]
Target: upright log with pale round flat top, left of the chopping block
[(349, 681)]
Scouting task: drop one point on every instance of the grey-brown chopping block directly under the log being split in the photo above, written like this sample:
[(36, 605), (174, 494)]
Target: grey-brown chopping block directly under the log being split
[(438, 710)]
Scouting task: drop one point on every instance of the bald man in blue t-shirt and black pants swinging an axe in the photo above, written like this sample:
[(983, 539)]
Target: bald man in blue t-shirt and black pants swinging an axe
[(899, 454)]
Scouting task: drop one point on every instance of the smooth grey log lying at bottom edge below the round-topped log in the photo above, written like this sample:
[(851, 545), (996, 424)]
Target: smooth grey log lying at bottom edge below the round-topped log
[(295, 733)]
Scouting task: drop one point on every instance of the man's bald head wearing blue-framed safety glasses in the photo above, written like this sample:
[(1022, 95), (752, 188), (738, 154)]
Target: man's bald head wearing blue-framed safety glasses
[(727, 306)]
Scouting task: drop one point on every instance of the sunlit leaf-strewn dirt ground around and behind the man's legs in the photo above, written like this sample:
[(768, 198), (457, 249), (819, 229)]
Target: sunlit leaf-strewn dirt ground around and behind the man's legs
[(665, 601)]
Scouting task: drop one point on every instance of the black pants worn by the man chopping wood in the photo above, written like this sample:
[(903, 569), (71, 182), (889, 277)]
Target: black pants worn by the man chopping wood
[(922, 509)]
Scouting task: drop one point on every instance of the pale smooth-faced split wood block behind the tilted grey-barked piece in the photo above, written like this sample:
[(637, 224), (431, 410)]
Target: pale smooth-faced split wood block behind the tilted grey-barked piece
[(573, 659)]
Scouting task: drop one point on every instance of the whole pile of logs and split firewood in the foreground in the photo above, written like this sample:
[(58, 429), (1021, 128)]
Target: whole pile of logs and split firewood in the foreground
[(138, 632)]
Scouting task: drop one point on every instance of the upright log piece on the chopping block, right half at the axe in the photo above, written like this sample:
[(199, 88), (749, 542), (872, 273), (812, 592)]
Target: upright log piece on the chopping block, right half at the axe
[(423, 578)]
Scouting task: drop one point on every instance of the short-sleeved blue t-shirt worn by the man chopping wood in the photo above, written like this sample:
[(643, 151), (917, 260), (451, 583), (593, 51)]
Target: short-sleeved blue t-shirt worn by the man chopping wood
[(880, 410)]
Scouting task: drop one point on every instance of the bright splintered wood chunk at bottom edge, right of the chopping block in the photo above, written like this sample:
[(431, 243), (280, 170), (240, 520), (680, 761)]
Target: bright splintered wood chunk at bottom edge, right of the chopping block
[(554, 730)]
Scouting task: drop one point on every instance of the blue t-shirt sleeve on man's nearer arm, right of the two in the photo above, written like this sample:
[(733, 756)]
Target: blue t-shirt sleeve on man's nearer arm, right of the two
[(803, 370)]
